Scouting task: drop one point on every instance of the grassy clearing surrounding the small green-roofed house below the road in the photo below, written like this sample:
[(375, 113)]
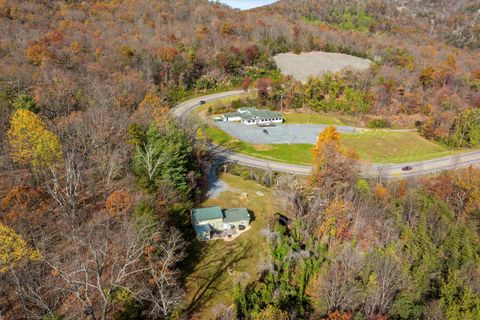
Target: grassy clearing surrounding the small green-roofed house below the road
[(221, 263)]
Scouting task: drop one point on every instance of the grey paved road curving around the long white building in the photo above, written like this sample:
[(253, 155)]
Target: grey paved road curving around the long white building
[(368, 170)]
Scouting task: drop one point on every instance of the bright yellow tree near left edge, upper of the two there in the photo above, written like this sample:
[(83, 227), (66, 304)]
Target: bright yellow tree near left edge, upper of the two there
[(30, 140)]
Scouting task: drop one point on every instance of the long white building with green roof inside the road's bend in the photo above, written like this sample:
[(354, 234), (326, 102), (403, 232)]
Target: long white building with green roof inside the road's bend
[(250, 116)]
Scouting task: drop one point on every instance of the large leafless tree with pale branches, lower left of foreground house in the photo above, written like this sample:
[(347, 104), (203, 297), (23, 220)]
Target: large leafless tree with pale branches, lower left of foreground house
[(114, 256)]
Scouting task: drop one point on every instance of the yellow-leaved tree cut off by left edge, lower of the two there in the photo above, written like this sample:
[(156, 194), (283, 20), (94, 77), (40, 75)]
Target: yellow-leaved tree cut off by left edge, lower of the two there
[(14, 250)]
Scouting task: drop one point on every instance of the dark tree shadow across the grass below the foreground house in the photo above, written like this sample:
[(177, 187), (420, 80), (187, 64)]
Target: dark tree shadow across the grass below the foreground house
[(218, 260)]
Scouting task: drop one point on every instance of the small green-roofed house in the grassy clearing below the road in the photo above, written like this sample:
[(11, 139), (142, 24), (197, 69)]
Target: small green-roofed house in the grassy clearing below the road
[(207, 221)]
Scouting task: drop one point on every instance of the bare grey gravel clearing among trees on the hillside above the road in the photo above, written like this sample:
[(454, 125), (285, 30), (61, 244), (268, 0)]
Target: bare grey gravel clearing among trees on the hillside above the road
[(301, 66)]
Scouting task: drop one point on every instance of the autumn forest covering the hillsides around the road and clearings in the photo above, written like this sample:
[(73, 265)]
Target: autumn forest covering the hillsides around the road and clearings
[(97, 178)]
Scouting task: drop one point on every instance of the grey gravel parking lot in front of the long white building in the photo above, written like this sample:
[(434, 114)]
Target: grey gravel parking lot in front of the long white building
[(280, 134)]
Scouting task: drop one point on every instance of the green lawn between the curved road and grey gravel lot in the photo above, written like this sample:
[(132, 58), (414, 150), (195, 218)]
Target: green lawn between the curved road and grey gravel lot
[(373, 146)]
